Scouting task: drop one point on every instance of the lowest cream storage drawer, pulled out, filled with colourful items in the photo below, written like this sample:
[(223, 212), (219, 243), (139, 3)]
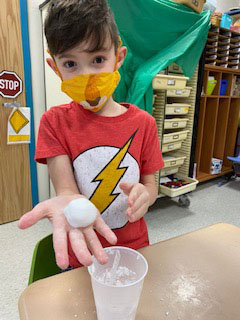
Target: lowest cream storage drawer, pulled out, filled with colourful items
[(175, 192)]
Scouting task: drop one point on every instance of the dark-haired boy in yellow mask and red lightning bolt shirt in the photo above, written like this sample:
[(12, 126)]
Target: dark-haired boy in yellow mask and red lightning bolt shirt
[(94, 147)]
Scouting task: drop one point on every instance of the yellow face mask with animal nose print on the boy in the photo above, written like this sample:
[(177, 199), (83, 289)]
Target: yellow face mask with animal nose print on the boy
[(92, 90)]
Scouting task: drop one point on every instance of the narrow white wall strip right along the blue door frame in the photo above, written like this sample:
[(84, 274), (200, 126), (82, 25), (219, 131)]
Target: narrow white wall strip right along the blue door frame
[(38, 86)]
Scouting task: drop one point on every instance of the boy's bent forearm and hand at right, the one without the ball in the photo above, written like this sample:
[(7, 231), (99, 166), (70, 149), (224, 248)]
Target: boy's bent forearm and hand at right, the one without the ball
[(140, 196)]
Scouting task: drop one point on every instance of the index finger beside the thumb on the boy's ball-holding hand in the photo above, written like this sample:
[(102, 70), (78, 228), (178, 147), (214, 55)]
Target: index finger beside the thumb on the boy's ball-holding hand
[(60, 242)]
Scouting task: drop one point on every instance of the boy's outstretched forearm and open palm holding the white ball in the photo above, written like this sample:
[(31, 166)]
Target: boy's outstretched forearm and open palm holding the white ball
[(82, 239)]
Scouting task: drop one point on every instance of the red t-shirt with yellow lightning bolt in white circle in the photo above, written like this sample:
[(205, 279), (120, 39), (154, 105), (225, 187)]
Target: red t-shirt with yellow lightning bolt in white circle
[(104, 152)]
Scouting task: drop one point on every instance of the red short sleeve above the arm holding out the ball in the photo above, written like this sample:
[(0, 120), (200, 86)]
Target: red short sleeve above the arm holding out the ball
[(49, 142)]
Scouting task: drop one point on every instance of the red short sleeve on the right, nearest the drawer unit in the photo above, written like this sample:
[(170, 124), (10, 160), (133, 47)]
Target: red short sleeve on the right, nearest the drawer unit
[(151, 159)]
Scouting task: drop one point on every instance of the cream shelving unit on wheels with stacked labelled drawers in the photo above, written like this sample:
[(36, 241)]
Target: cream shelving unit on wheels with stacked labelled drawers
[(176, 107)]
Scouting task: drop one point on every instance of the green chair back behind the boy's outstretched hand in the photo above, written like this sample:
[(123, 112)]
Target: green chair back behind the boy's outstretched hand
[(43, 260)]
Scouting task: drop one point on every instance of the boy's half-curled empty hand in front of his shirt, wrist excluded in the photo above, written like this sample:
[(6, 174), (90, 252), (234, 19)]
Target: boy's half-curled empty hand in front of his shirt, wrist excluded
[(138, 200)]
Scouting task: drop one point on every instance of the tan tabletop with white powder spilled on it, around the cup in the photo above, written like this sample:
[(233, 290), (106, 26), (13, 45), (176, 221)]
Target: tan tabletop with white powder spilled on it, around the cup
[(192, 277)]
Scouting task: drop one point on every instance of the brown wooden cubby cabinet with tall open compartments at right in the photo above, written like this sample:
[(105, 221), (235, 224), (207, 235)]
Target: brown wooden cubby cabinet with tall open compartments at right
[(217, 124)]
